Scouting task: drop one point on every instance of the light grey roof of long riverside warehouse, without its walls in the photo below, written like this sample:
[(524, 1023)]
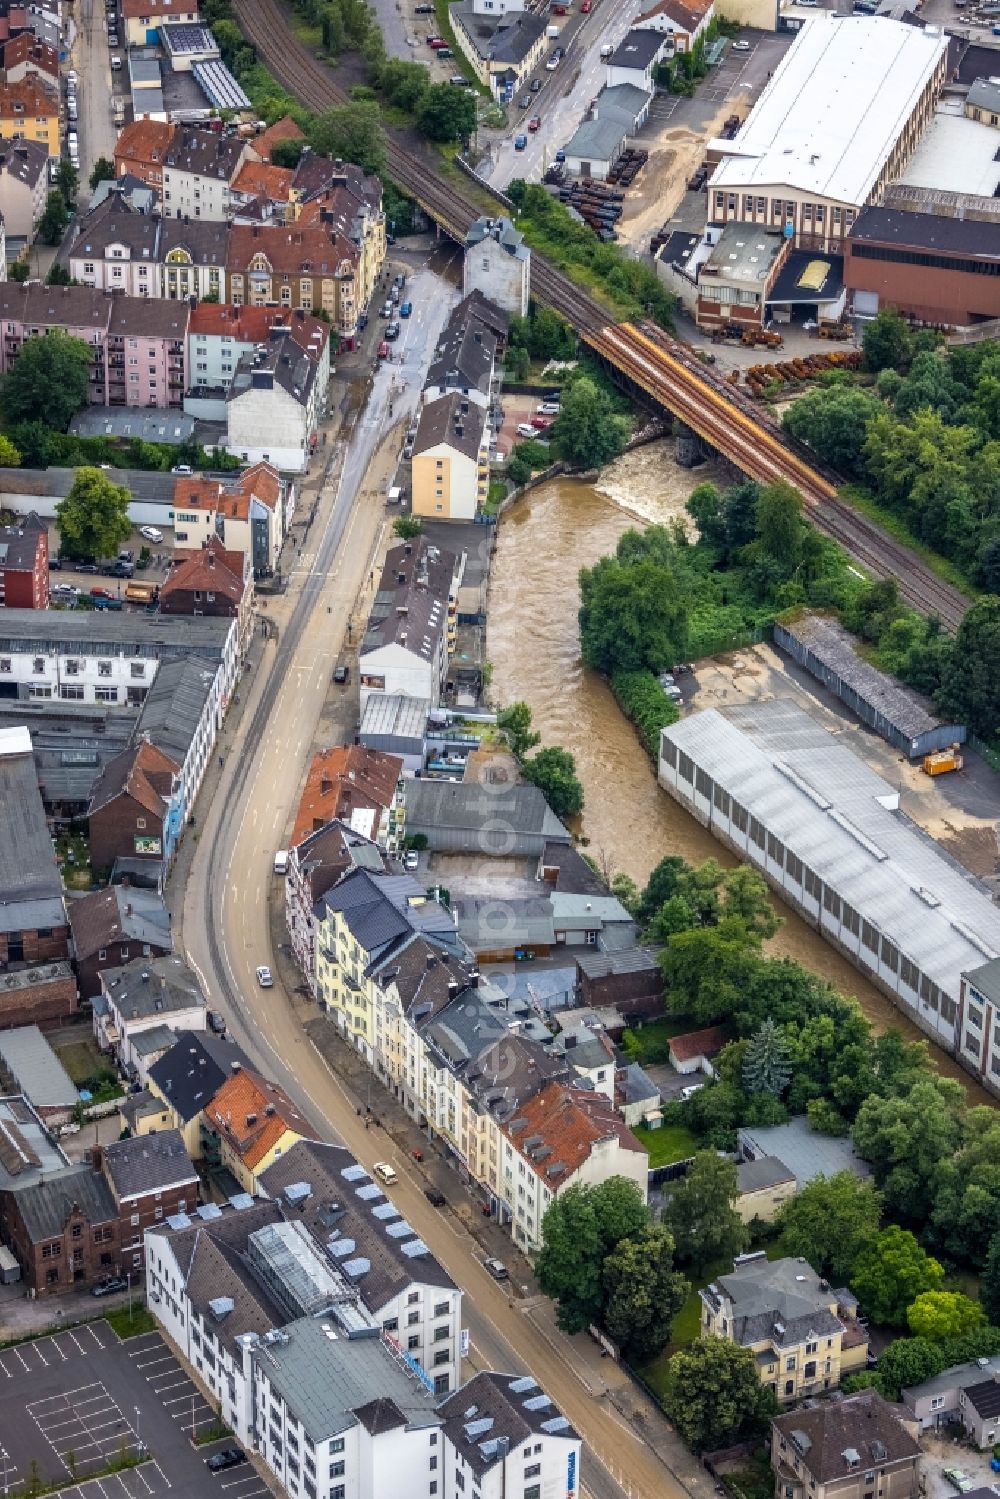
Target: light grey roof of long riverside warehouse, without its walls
[(834, 813)]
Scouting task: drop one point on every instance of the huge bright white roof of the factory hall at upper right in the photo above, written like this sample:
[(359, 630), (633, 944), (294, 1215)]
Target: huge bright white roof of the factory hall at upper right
[(834, 110)]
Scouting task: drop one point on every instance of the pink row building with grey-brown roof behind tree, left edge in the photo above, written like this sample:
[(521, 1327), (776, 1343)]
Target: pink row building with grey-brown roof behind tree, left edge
[(139, 346)]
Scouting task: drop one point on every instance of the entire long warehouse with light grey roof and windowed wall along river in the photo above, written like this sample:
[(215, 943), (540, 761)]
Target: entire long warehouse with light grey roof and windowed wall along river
[(828, 834)]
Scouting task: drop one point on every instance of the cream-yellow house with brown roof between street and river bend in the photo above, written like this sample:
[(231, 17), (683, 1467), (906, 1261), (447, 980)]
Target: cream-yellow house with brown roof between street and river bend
[(451, 465)]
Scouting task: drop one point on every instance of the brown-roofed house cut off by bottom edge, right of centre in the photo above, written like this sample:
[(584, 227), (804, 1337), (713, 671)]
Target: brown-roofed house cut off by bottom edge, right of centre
[(840, 1449)]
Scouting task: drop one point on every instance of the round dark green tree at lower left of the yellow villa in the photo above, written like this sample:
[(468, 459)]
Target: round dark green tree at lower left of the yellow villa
[(714, 1396)]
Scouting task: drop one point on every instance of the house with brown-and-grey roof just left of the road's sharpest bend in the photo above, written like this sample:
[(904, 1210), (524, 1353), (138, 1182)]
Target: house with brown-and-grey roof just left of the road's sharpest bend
[(110, 927)]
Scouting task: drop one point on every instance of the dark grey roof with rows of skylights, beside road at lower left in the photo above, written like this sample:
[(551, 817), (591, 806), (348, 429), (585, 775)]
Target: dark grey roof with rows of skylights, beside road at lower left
[(334, 1209)]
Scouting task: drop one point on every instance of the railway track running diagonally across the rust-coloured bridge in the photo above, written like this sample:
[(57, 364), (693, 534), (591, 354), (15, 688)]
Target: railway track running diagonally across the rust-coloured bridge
[(660, 367)]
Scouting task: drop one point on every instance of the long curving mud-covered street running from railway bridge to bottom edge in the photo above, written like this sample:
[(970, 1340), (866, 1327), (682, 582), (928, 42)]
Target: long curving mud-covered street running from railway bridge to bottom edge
[(224, 926)]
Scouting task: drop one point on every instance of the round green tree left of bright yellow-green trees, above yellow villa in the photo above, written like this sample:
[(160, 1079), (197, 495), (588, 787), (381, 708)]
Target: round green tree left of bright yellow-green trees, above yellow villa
[(830, 1222)]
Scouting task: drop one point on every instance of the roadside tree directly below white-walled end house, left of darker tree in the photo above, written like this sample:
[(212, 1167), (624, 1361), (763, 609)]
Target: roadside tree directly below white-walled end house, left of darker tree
[(579, 1231)]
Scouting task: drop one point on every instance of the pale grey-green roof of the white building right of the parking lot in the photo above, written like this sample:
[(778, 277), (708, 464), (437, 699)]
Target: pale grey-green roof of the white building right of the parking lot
[(328, 1381)]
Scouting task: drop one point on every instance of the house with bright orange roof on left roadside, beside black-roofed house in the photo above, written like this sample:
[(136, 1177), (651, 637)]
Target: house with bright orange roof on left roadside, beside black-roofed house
[(250, 1125)]
